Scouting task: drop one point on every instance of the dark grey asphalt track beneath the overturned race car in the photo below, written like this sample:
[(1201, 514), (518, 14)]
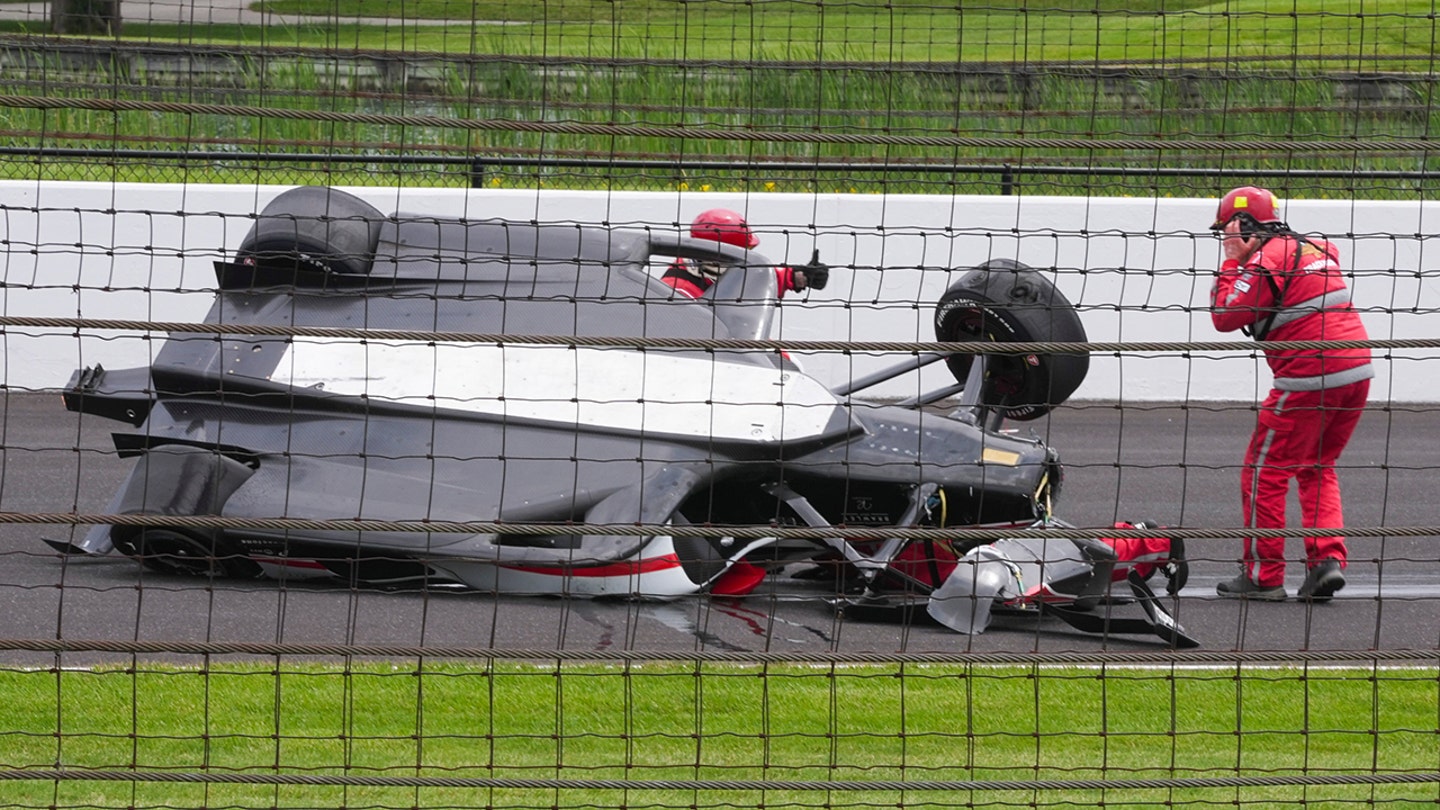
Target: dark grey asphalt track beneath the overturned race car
[(1167, 463)]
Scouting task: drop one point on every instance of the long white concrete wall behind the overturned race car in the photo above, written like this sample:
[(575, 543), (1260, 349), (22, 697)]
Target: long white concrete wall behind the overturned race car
[(1138, 269)]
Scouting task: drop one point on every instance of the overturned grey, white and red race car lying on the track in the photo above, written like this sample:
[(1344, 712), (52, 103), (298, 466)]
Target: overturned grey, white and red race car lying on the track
[(256, 424)]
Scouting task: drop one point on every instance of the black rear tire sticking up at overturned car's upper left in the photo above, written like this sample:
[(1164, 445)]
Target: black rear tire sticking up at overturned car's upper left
[(315, 231)]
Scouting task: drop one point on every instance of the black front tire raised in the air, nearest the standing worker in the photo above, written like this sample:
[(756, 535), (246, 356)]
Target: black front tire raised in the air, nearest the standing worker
[(1007, 302)]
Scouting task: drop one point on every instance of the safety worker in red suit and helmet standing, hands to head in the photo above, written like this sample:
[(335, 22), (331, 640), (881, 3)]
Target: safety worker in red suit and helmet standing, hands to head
[(1277, 285)]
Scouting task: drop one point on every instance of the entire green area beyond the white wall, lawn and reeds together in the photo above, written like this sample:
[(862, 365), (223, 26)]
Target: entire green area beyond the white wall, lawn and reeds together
[(729, 67)]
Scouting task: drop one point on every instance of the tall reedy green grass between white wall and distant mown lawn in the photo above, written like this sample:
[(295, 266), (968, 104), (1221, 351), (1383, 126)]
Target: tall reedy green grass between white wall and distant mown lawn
[(872, 106)]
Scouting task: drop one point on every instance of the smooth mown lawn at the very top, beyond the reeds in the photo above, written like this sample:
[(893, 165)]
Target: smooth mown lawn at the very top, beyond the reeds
[(912, 31)]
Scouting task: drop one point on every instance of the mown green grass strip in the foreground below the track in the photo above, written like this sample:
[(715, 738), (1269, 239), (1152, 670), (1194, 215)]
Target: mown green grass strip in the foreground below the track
[(856, 724)]
